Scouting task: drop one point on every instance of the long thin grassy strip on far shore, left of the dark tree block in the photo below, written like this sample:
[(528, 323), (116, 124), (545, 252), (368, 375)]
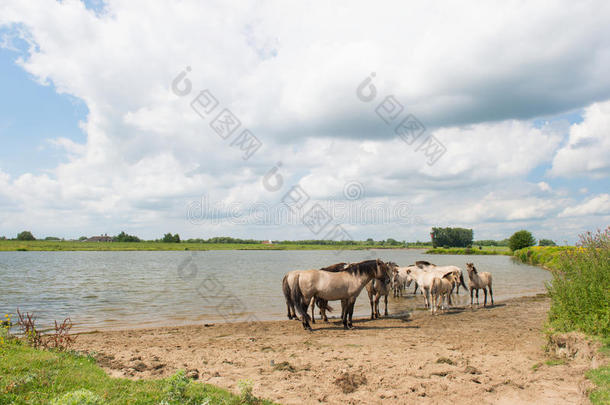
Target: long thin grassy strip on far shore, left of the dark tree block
[(49, 246)]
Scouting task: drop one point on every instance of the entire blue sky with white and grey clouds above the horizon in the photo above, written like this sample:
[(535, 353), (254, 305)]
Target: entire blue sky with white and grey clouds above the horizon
[(393, 117)]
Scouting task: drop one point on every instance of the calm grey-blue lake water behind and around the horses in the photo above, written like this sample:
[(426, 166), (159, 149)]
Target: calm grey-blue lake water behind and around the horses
[(139, 289)]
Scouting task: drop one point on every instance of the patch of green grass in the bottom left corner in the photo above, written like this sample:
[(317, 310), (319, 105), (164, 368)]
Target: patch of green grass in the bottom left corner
[(32, 376)]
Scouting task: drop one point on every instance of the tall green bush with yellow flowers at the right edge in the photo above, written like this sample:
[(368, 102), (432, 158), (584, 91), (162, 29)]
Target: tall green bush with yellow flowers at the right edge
[(580, 288)]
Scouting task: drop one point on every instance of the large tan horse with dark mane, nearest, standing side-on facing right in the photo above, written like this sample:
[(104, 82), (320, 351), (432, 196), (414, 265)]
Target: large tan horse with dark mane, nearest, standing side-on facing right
[(330, 286)]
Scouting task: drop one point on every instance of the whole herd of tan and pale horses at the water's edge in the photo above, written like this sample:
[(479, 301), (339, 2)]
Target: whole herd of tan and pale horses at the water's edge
[(344, 281)]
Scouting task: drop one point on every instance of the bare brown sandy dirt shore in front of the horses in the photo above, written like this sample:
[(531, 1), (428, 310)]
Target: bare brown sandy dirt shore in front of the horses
[(484, 355)]
